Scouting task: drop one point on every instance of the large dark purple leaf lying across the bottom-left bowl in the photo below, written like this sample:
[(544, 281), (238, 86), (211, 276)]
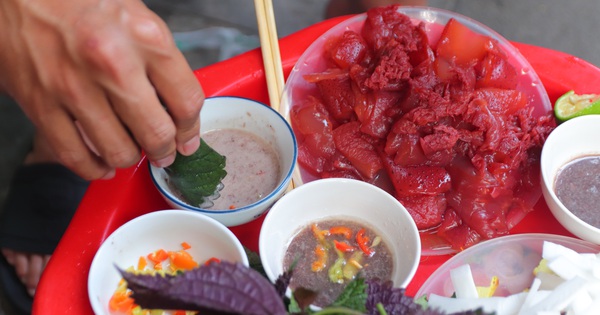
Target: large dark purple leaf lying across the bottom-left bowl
[(218, 288)]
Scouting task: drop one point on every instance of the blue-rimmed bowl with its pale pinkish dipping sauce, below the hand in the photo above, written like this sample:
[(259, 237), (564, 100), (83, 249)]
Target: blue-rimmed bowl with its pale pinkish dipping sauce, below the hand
[(260, 151)]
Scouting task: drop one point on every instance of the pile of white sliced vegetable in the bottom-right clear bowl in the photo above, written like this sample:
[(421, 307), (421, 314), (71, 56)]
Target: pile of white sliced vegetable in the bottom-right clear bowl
[(569, 285)]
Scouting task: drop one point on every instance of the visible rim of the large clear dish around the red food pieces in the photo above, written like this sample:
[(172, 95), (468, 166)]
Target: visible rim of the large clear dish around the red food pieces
[(313, 61)]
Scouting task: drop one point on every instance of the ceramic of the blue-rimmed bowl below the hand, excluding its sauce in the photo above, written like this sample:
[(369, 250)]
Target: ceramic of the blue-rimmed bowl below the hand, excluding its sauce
[(257, 118)]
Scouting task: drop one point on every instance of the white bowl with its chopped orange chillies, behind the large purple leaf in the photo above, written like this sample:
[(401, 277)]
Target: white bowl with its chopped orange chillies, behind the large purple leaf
[(158, 244)]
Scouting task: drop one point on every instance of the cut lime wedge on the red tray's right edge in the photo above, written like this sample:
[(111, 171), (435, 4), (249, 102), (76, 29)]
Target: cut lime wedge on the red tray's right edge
[(571, 105)]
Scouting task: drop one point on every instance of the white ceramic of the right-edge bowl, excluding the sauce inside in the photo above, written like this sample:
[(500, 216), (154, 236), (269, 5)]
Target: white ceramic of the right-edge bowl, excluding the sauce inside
[(574, 138)]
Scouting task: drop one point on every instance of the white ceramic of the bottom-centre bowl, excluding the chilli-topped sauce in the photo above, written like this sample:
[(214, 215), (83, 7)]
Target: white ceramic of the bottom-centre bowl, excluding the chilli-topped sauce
[(341, 198)]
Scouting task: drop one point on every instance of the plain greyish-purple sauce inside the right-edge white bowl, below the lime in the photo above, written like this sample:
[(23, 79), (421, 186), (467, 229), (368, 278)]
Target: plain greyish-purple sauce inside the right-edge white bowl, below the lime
[(578, 188)]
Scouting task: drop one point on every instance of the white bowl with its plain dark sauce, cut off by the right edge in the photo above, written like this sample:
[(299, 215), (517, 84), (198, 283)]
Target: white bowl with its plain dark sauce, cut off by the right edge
[(570, 167)]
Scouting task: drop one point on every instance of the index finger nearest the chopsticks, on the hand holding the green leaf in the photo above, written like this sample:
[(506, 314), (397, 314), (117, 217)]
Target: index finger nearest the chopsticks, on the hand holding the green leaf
[(174, 82)]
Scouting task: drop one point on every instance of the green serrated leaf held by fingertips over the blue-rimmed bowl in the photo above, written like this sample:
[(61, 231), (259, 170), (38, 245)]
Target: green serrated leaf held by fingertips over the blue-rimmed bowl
[(197, 176)]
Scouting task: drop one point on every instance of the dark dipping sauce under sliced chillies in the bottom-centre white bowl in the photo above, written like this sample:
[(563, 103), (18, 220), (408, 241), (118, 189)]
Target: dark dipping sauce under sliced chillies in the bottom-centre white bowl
[(303, 251)]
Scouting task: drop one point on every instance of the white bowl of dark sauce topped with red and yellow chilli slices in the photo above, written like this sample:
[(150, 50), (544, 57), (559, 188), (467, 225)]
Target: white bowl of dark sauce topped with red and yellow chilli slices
[(332, 229)]
